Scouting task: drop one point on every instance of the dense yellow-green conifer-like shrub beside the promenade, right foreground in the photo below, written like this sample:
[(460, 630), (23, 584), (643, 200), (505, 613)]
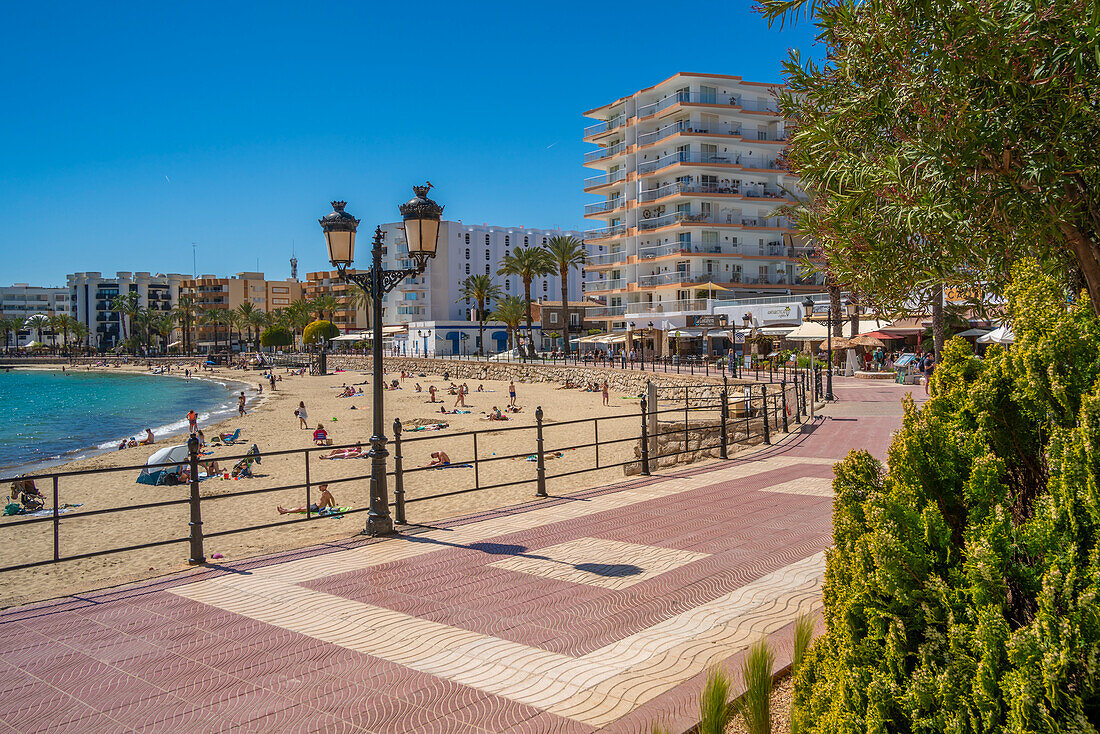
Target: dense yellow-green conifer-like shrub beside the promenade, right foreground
[(962, 591)]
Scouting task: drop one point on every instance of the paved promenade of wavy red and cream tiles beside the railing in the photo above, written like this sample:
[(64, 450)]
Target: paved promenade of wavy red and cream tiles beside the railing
[(598, 611)]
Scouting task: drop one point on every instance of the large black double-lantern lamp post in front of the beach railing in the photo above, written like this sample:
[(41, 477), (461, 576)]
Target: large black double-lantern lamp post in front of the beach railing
[(422, 221)]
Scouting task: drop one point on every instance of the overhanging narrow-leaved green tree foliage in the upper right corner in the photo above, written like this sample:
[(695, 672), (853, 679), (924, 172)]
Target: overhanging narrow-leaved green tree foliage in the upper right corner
[(942, 141)]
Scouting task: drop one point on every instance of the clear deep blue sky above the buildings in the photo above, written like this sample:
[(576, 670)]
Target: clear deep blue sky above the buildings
[(131, 130)]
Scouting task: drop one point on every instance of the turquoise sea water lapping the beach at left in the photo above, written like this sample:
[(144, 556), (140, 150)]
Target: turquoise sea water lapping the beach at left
[(47, 417)]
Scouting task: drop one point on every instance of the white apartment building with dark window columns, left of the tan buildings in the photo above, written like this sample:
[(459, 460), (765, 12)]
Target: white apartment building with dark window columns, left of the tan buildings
[(91, 297)]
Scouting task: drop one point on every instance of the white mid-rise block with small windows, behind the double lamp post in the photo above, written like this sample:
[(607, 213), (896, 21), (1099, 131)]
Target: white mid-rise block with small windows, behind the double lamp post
[(464, 250)]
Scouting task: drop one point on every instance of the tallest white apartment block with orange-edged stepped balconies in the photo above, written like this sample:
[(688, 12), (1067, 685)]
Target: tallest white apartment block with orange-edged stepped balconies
[(691, 176)]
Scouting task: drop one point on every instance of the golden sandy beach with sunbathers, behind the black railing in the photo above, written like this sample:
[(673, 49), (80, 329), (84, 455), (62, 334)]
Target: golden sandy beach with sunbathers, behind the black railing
[(272, 425)]
